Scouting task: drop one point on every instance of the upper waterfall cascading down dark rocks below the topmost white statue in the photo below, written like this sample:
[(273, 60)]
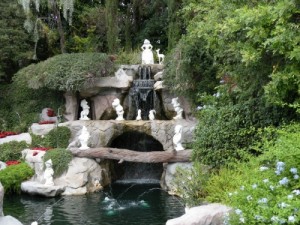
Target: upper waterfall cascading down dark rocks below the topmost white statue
[(142, 94)]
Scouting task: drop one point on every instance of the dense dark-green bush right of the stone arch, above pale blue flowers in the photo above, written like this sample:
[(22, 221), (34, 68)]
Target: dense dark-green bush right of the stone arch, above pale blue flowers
[(227, 131)]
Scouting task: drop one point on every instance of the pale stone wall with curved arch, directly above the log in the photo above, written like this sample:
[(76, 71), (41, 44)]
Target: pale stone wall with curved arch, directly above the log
[(103, 132)]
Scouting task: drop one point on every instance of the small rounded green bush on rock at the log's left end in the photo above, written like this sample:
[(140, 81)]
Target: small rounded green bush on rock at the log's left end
[(60, 159)]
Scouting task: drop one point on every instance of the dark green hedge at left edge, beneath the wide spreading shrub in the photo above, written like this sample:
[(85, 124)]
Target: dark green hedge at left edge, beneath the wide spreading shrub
[(21, 106)]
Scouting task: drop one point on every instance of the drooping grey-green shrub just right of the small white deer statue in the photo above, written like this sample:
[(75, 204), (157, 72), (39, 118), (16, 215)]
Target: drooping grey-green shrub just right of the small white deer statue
[(184, 74)]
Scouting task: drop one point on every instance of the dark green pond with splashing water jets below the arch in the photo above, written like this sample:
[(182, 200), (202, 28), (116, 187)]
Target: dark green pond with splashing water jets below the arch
[(124, 203)]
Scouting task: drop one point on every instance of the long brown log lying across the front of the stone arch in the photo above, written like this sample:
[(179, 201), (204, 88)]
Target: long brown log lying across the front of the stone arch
[(134, 156)]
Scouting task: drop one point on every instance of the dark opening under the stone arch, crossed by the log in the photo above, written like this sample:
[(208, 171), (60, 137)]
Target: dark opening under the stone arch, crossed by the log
[(140, 142)]
